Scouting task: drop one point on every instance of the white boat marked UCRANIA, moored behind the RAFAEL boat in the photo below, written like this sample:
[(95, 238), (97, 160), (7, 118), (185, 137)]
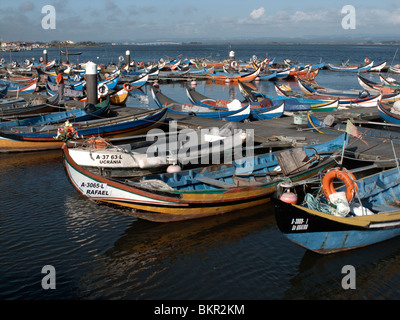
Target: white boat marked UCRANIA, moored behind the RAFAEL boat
[(160, 150)]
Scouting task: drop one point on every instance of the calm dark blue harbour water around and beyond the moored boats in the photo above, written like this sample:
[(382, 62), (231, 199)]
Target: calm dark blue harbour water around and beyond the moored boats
[(101, 254)]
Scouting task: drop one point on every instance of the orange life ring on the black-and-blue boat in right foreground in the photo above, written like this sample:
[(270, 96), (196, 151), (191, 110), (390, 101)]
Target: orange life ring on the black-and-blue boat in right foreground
[(348, 179)]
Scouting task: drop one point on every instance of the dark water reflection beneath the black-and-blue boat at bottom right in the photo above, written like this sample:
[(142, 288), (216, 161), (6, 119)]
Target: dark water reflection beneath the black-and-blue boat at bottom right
[(319, 276)]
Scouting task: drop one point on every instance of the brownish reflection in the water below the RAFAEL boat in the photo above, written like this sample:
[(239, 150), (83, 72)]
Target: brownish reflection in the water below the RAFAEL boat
[(146, 241)]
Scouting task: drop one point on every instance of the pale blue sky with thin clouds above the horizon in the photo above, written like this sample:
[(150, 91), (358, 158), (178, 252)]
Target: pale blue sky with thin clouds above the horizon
[(179, 20)]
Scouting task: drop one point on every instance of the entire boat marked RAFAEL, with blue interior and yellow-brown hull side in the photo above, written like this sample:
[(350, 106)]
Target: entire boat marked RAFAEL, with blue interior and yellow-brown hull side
[(199, 192)]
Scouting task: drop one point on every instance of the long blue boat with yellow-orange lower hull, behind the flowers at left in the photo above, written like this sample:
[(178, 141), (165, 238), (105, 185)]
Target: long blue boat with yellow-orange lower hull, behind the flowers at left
[(38, 138)]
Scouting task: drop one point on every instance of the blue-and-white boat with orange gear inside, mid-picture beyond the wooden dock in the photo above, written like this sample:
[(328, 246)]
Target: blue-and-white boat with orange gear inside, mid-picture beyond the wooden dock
[(257, 111)]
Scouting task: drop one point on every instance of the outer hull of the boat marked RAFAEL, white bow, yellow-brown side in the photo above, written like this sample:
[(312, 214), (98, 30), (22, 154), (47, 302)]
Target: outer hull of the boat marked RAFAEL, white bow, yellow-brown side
[(170, 204)]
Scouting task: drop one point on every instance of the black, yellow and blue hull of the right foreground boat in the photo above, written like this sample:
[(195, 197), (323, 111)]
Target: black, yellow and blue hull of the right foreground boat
[(326, 234)]
